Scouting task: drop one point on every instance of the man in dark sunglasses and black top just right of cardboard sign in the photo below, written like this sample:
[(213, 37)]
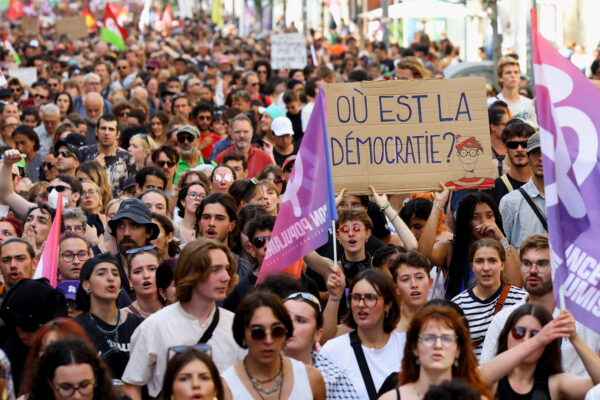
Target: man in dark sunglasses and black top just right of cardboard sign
[(514, 136)]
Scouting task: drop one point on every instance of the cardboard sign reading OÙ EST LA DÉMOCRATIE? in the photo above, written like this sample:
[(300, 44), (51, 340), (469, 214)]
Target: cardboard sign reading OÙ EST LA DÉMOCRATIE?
[(406, 136)]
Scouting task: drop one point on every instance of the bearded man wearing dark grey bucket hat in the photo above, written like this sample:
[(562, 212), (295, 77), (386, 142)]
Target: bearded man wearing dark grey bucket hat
[(132, 228)]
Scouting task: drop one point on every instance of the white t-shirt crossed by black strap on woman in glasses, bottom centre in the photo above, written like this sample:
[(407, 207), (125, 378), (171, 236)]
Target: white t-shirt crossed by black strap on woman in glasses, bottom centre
[(381, 362)]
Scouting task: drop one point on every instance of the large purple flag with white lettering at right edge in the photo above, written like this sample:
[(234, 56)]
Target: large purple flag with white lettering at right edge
[(567, 105)]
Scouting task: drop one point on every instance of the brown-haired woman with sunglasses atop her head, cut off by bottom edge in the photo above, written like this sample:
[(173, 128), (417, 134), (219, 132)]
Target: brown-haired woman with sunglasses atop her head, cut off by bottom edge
[(192, 374)]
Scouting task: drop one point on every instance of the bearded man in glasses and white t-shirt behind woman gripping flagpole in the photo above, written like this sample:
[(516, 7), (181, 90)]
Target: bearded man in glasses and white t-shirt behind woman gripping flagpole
[(536, 274)]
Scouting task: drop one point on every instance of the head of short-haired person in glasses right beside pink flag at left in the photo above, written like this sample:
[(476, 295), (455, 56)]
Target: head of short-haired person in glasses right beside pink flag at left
[(73, 252)]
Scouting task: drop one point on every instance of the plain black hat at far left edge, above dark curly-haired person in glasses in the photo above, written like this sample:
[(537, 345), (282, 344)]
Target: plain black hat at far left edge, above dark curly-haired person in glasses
[(31, 303)]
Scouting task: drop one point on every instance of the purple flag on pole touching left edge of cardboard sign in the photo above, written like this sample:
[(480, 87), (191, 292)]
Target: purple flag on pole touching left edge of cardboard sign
[(308, 205)]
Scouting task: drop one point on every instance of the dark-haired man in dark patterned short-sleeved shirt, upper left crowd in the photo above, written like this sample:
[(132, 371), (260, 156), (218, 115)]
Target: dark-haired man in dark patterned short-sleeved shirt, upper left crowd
[(118, 163)]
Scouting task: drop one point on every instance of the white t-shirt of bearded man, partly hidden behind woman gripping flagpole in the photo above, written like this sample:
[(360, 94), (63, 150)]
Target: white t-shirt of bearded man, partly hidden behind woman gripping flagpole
[(570, 359)]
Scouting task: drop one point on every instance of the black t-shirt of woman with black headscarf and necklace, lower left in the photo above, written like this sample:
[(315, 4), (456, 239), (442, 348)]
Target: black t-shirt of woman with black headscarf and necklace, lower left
[(112, 345)]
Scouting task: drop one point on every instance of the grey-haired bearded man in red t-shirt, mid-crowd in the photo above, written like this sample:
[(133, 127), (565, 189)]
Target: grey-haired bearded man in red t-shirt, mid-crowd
[(241, 135)]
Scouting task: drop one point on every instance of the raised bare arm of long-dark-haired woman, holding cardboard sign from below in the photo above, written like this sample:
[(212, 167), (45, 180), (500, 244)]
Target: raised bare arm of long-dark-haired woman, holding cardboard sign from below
[(436, 254)]
